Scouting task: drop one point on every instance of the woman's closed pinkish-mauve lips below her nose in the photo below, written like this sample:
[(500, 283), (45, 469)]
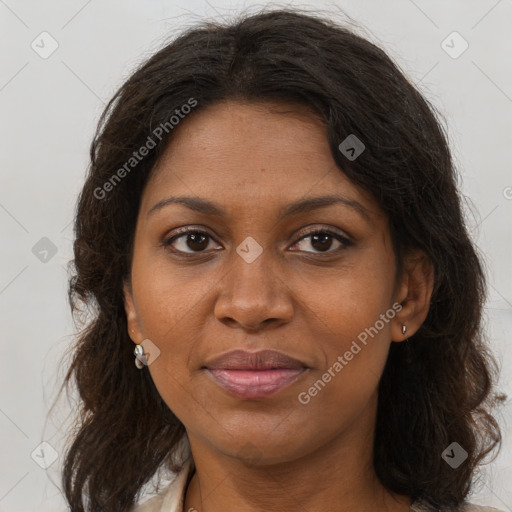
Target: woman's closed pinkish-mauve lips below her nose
[(254, 374)]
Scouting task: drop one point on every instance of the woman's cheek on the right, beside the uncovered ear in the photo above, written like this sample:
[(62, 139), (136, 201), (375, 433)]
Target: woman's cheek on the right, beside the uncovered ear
[(353, 322)]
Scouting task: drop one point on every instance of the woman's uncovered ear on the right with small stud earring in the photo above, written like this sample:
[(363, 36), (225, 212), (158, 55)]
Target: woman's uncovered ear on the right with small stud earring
[(413, 294)]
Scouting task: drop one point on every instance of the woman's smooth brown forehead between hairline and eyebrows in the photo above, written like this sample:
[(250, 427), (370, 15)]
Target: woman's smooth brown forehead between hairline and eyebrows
[(250, 155)]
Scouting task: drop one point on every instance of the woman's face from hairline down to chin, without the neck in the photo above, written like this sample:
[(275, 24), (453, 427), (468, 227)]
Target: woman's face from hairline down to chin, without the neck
[(255, 274)]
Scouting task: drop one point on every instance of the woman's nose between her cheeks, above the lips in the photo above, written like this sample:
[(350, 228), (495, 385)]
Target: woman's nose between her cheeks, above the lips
[(254, 296)]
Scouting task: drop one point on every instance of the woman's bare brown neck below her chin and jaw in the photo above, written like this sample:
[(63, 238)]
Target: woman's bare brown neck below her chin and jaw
[(336, 477)]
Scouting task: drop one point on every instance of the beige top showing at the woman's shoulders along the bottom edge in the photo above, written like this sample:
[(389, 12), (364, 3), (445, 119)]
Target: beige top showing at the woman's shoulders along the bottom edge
[(172, 497)]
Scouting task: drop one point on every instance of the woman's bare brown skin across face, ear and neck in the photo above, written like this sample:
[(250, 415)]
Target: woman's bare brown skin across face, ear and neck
[(272, 453)]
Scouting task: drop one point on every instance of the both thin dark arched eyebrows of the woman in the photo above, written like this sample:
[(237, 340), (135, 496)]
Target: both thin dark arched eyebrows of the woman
[(301, 206)]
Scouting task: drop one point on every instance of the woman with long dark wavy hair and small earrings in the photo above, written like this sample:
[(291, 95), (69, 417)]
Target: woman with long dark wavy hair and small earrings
[(271, 225)]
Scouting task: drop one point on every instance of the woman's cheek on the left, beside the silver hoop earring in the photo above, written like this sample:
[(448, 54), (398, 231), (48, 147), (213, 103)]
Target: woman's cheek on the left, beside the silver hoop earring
[(172, 307)]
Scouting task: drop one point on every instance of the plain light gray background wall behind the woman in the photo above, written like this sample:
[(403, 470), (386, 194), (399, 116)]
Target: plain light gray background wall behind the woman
[(49, 110)]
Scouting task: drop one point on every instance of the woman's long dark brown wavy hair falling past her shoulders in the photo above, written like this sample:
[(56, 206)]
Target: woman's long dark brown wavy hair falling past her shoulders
[(435, 388)]
